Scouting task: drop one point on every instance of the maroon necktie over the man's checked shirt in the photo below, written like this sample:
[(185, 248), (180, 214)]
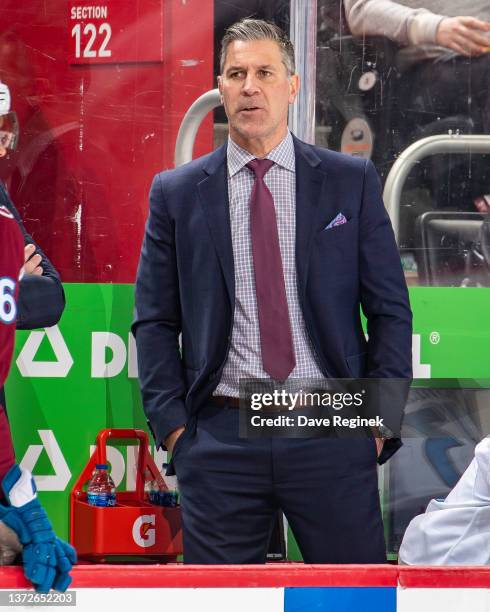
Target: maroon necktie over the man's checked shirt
[(275, 328)]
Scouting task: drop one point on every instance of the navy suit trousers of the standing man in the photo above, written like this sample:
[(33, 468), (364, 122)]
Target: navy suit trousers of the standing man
[(231, 489)]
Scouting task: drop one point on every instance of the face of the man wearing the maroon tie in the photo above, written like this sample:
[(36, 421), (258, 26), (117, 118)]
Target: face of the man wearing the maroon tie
[(256, 92)]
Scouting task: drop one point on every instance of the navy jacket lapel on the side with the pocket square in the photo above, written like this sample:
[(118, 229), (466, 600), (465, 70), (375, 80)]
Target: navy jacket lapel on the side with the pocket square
[(309, 183)]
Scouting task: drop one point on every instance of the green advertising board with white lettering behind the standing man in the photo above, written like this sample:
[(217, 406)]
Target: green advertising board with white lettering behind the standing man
[(70, 381)]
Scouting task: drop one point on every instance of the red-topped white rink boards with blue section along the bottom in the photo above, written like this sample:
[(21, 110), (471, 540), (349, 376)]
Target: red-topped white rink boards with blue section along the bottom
[(271, 588)]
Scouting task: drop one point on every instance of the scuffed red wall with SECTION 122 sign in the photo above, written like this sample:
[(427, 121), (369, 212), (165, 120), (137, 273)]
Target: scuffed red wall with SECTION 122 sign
[(93, 136)]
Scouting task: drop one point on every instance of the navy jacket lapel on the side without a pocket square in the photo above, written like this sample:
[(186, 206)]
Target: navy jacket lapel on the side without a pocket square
[(213, 193)]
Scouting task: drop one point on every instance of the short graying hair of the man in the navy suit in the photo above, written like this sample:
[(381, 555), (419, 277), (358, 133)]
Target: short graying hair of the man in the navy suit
[(258, 29)]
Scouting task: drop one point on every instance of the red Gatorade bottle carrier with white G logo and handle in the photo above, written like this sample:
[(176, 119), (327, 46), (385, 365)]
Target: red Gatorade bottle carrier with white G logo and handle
[(133, 526)]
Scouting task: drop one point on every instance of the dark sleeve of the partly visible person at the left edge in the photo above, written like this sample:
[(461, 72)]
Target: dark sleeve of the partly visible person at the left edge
[(41, 298)]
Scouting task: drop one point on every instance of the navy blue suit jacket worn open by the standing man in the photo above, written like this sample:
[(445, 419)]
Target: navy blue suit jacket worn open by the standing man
[(185, 281)]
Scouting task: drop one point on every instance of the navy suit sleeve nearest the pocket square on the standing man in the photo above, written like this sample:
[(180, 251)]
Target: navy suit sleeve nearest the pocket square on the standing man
[(385, 303)]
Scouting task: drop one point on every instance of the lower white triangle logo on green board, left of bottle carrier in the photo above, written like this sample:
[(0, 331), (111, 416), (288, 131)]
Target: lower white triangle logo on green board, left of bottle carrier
[(62, 475)]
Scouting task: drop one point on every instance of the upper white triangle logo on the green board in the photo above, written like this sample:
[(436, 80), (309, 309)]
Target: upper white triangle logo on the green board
[(59, 368)]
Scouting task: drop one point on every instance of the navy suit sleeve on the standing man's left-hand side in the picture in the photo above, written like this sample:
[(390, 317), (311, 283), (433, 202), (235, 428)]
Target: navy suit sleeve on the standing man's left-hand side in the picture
[(157, 322)]
